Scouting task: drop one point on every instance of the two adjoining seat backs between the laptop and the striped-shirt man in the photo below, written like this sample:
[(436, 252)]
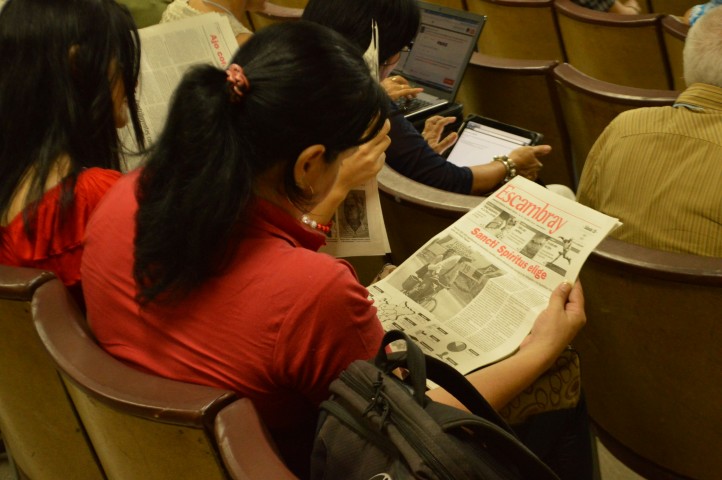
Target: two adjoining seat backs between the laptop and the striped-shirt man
[(570, 108)]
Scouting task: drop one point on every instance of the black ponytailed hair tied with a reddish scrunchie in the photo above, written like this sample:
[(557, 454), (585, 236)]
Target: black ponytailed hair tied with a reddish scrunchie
[(307, 86)]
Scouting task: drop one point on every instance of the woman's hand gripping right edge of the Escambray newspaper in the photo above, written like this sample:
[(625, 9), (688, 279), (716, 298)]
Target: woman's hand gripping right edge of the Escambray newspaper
[(558, 324)]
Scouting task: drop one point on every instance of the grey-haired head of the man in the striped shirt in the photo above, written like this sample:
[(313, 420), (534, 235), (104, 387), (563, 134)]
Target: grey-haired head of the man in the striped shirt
[(702, 55)]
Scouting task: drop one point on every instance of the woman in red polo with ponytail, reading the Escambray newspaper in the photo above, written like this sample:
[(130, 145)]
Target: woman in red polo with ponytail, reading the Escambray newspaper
[(202, 266)]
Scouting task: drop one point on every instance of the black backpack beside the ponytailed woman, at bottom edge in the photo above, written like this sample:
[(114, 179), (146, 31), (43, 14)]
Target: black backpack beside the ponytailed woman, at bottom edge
[(377, 427)]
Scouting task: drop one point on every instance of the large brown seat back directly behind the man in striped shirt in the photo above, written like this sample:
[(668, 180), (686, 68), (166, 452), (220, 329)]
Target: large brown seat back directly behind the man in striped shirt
[(651, 356)]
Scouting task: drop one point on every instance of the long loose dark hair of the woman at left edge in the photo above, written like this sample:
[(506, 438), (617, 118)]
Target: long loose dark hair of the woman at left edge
[(56, 91)]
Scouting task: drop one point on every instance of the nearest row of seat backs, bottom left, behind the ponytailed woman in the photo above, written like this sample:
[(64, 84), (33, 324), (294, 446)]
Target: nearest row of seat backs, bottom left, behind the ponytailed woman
[(70, 410)]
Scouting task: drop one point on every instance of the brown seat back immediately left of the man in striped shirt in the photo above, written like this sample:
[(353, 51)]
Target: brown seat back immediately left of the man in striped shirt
[(588, 105)]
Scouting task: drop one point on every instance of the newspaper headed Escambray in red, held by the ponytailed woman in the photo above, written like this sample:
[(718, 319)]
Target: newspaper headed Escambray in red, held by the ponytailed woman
[(471, 294)]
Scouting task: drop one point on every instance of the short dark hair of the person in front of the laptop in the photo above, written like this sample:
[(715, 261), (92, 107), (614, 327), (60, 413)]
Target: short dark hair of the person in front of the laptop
[(398, 21)]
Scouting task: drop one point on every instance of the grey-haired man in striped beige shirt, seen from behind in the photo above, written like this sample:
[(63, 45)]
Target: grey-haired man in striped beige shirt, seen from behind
[(659, 170)]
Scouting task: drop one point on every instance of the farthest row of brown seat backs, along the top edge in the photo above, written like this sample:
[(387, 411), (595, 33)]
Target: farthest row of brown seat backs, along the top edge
[(636, 50)]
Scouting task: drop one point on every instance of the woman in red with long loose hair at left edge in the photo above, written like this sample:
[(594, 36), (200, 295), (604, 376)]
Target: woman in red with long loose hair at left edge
[(67, 85)]
